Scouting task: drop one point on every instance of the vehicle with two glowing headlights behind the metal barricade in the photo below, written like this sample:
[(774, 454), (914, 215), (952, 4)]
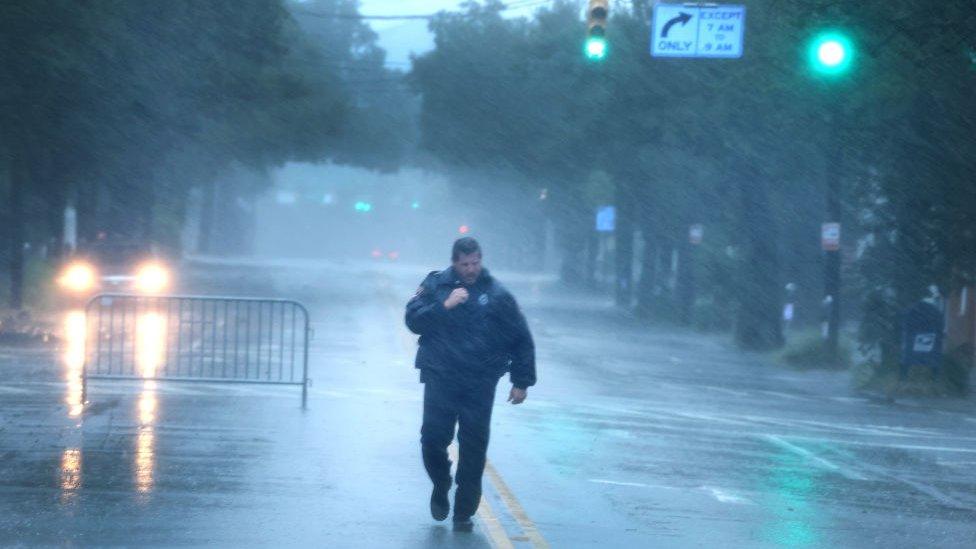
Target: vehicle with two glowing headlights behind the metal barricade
[(113, 265)]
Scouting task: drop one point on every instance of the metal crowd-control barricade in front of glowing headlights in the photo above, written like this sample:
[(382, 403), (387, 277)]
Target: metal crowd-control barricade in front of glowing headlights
[(193, 338)]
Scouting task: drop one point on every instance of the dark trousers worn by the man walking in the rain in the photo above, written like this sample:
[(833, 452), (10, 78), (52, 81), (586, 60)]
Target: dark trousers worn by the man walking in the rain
[(466, 403)]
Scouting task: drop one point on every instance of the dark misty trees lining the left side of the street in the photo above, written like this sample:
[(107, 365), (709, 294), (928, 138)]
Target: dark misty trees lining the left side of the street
[(123, 108)]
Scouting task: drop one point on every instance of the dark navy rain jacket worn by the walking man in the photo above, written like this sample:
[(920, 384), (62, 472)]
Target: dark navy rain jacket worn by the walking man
[(483, 337)]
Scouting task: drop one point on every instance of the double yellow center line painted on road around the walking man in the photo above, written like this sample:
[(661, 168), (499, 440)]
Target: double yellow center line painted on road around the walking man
[(496, 532)]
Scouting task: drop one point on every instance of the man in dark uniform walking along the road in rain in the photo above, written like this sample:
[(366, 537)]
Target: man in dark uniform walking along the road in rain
[(471, 332)]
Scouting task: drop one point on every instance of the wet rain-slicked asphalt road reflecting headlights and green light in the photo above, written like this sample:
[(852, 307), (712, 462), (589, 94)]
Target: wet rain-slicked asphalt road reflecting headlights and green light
[(635, 436)]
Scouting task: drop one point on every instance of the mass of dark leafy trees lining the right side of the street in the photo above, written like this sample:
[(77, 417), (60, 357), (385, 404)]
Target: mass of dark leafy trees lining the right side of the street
[(743, 146)]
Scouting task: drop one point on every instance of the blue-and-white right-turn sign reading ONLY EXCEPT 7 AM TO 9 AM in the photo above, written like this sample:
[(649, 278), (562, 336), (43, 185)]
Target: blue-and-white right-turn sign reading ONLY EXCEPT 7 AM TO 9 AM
[(697, 31)]
